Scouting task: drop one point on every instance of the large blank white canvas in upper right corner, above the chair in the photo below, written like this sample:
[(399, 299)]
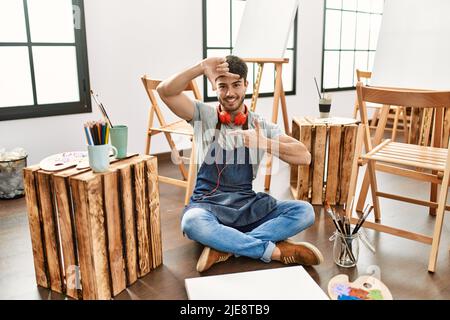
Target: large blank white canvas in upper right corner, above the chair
[(413, 48)]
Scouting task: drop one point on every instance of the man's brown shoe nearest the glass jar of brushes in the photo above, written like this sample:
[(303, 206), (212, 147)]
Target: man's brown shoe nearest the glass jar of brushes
[(299, 253)]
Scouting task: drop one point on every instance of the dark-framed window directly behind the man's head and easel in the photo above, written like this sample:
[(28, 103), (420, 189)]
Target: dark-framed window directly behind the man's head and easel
[(219, 39)]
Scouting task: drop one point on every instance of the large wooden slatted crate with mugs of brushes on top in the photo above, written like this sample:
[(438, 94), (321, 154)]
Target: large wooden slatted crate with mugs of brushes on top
[(94, 234)]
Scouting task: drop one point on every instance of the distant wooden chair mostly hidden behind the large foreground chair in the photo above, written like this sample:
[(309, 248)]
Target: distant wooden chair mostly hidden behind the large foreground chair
[(394, 112)]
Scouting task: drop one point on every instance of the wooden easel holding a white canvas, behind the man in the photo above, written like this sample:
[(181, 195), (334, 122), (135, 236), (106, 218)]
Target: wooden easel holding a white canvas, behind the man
[(262, 38)]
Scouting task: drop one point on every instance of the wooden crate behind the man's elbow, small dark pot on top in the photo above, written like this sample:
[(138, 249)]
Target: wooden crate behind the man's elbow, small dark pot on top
[(332, 147)]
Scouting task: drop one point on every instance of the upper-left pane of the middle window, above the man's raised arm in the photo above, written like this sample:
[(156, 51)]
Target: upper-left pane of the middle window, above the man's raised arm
[(218, 23)]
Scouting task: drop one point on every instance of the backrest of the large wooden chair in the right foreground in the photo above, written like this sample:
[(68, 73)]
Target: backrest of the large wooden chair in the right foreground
[(438, 100)]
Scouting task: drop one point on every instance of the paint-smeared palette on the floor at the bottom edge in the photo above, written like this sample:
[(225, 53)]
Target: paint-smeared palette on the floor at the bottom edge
[(364, 288)]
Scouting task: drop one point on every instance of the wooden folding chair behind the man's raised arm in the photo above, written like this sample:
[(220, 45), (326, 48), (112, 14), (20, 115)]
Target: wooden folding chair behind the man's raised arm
[(177, 127)]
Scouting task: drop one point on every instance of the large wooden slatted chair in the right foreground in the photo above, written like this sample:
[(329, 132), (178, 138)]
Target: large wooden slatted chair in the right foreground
[(429, 164)]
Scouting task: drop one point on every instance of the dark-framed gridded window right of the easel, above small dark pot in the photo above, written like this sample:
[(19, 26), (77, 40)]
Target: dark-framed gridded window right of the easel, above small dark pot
[(351, 29)]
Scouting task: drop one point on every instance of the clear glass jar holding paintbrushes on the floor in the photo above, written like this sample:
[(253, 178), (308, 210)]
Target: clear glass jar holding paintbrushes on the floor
[(345, 249)]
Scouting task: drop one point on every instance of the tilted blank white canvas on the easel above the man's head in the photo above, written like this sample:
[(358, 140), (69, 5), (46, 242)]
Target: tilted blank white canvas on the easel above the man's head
[(264, 28)]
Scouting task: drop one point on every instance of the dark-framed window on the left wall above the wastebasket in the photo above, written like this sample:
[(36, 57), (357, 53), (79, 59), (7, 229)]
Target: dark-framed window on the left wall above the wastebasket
[(43, 59)]
